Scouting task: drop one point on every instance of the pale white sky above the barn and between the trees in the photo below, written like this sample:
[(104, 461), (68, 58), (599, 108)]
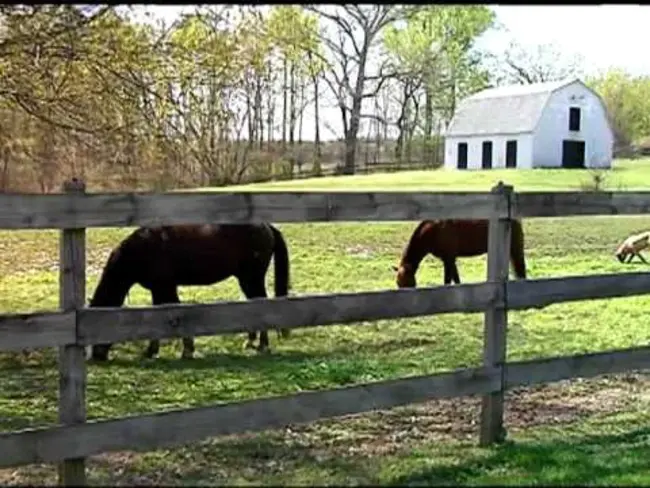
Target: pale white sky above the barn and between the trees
[(604, 36)]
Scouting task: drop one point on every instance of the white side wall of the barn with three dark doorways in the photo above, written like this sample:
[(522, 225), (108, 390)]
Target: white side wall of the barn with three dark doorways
[(475, 151)]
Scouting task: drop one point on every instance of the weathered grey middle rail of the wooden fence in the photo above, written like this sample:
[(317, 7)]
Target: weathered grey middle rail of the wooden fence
[(99, 325)]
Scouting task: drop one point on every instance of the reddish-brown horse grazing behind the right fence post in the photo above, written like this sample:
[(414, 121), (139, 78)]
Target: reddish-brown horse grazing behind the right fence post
[(451, 239)]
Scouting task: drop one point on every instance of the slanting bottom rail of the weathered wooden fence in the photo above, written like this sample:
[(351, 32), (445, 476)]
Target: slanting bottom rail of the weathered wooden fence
[(157, 430)]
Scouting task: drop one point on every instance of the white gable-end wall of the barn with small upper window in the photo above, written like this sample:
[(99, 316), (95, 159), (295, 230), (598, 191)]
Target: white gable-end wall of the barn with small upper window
[(553, 127)]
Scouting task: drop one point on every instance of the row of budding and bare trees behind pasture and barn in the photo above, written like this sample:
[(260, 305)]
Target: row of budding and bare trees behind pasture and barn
[(227, 93)]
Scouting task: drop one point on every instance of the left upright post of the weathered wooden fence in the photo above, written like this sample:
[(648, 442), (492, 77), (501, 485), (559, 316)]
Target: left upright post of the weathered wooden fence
[(72, 363)]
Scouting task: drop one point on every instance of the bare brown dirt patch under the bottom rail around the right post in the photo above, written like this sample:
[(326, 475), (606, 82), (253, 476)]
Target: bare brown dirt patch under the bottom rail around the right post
[(389, 431)]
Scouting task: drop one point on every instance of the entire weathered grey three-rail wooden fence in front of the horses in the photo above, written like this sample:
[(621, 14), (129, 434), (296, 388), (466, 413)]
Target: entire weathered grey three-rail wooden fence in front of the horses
[(75, 327)]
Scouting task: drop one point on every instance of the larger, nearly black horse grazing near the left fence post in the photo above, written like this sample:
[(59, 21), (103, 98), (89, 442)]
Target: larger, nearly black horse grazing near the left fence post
[(162, 258)]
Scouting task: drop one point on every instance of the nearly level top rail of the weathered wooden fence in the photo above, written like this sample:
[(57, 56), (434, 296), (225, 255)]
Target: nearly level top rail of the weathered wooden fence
[(60, 211)]
